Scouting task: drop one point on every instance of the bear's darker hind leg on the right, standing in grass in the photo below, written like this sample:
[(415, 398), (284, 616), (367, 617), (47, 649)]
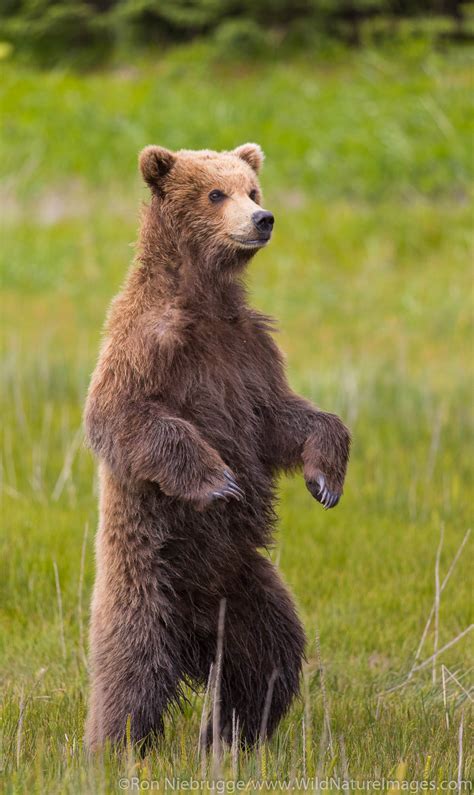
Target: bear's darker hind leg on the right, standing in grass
[(263, 650)]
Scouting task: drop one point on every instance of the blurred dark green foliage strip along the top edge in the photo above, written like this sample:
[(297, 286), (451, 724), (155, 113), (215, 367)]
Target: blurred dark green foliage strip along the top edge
[(89, 32)]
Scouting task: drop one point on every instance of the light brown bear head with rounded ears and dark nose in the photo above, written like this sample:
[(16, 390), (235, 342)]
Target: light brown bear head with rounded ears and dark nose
[(208, 204)]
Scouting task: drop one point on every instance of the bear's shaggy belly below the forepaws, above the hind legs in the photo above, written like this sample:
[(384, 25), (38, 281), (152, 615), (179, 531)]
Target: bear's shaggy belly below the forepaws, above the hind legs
[(142, 529)]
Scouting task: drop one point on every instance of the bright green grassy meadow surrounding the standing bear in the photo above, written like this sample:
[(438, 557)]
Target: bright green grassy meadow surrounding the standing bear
[(369, 167)]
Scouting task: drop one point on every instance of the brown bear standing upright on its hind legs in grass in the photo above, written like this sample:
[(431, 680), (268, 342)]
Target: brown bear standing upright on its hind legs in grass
[(191, 416)]
